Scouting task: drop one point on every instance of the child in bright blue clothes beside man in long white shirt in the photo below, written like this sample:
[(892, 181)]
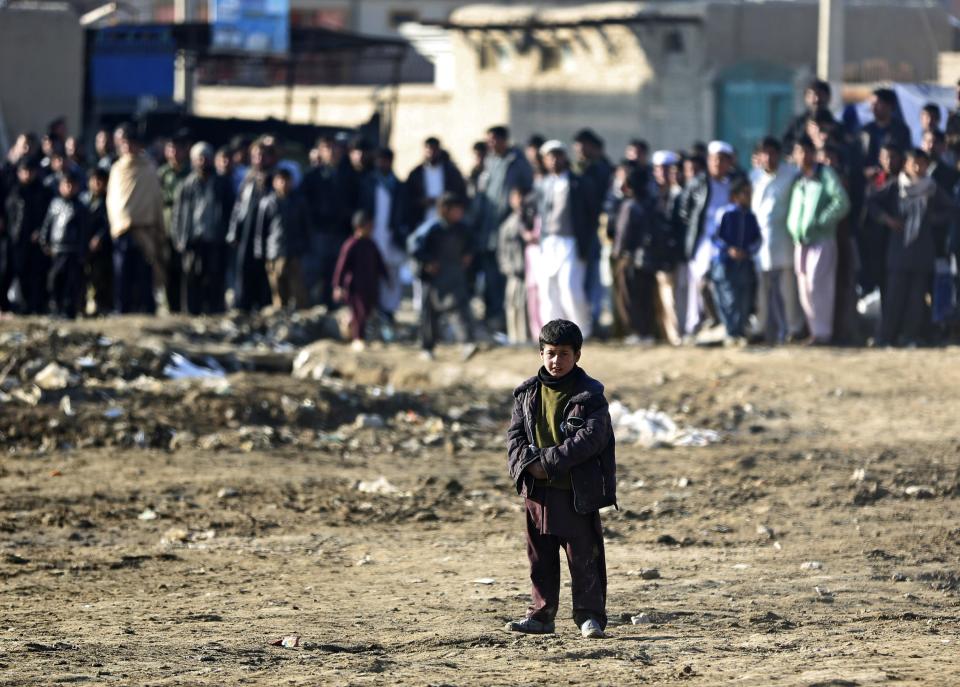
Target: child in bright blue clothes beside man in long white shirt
[(736, 240)]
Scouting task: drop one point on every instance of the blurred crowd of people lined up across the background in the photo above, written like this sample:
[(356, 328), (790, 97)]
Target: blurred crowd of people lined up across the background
[(828, 214)]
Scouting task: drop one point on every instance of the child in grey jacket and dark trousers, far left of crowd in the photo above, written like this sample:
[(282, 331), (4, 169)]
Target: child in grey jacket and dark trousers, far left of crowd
[(64, 238)]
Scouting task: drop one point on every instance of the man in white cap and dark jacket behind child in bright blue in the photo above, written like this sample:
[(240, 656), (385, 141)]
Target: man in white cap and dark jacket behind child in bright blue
[(702, 201)]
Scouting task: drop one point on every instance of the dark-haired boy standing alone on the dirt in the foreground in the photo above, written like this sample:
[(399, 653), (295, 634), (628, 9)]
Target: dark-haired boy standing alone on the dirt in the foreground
[(561, 458)]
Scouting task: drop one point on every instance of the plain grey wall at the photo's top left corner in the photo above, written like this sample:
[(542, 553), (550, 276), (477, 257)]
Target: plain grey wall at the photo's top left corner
[(41, 68)]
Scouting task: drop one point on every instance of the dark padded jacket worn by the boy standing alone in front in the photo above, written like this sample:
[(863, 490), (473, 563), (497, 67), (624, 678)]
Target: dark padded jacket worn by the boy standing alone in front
[(589, 455)]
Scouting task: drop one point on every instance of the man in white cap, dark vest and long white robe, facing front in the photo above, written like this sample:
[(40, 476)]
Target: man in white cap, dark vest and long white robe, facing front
[(564, 209)]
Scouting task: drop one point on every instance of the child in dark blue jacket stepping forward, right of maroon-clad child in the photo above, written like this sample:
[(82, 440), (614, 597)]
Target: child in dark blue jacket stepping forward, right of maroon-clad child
[(442, 251)]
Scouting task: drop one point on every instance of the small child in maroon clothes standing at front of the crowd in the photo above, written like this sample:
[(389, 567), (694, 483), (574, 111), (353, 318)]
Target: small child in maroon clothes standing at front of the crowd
[(356, 280)]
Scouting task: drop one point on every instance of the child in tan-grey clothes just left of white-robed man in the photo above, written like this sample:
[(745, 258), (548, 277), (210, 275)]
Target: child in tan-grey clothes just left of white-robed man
[(511, 248)]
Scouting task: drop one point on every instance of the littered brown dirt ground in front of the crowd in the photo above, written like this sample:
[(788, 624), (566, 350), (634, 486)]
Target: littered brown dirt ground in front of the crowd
[(165, 532)]
